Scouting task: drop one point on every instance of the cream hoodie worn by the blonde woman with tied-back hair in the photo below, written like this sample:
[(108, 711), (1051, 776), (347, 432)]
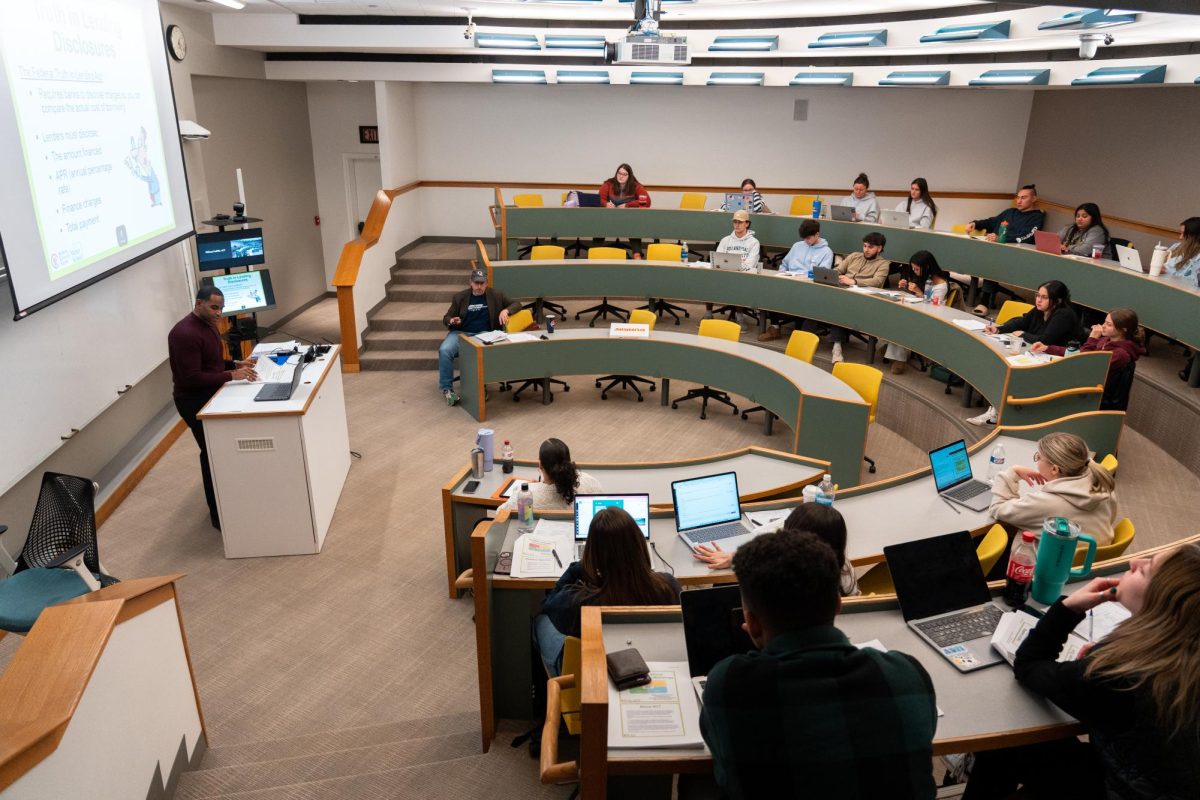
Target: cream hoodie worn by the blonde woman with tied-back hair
[(1065, 497)]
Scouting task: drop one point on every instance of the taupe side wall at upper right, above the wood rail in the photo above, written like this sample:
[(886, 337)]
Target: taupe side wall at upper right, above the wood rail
[(1132, 152)]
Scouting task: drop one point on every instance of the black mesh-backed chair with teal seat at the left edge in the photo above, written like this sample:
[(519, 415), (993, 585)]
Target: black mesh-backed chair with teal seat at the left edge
[(59, 560)]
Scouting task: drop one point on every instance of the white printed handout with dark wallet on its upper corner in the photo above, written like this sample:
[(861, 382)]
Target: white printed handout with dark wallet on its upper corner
[(661, 714)]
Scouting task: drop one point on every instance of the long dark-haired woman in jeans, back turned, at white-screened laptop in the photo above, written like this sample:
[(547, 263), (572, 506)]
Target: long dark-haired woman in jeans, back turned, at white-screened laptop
[(615, 572)]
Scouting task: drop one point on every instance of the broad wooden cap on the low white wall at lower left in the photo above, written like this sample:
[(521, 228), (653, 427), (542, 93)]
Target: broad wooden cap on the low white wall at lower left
[(46, 679)]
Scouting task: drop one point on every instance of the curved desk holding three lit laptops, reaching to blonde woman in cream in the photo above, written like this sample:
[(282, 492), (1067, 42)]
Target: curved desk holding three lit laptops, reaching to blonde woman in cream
[(903, 509)]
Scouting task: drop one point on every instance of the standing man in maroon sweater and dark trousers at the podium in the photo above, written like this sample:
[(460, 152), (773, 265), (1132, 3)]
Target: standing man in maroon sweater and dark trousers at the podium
[(199, 371)]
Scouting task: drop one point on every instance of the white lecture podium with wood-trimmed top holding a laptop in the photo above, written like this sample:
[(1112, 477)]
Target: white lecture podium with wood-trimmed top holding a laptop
[(279, 467)]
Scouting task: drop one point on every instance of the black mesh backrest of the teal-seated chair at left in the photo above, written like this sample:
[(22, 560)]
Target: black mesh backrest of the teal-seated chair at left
[(65, 519)]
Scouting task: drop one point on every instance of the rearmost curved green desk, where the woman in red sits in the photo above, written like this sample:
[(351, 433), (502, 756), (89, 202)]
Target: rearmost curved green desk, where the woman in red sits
[(1171, 306)]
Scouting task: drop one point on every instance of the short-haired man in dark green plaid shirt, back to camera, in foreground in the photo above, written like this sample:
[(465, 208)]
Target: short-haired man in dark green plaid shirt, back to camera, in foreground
[(811, 715)]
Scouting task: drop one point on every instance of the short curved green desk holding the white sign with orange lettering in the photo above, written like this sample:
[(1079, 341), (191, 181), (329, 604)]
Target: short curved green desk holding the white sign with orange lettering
[(829, 418)]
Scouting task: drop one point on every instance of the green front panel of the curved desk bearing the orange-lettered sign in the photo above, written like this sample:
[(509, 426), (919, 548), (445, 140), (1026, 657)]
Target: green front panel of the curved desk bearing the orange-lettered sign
[(829, 430)]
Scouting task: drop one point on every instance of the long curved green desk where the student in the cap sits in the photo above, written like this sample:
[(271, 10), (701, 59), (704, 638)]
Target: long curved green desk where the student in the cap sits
[(1023, 395)]
